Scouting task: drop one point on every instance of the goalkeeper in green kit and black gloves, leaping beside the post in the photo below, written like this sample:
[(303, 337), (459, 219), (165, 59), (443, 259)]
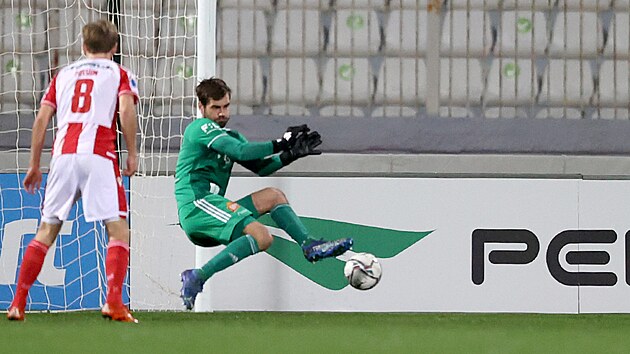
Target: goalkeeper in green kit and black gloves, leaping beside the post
[(204, 165)]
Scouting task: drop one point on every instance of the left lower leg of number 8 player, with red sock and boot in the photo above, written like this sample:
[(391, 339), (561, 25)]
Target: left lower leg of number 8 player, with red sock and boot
[(31, 267)]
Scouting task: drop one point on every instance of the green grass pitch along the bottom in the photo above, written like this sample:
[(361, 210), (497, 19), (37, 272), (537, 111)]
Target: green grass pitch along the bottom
[(314, 332)]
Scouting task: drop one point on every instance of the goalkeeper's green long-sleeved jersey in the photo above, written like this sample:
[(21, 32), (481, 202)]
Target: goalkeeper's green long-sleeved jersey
[(206, 157)]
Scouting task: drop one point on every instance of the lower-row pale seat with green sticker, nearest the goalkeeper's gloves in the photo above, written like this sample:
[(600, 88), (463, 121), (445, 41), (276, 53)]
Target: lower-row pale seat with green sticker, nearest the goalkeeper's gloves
[(347, 81)]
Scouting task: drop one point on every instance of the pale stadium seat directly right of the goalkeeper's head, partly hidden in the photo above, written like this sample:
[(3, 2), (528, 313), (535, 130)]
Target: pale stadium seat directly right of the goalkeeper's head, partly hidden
[(244, 76)]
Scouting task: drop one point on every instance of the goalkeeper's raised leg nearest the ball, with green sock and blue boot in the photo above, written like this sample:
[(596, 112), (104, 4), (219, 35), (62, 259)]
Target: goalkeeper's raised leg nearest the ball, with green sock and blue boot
[(274, 202)]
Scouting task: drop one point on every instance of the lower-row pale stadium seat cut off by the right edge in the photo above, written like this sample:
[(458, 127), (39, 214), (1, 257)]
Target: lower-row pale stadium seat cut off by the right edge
[(614, 77)]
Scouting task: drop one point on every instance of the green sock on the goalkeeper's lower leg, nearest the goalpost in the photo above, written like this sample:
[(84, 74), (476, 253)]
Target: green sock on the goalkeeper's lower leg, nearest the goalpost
[(235, 251)]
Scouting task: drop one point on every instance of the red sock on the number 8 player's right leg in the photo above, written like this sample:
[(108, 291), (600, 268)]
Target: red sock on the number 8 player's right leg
[(116, 263)]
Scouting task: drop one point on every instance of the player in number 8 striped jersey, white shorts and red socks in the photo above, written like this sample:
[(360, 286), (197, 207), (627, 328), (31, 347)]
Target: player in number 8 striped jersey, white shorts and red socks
[(86, 96)]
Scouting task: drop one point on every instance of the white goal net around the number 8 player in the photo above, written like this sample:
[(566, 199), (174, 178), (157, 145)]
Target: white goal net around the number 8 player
[(158, 44)]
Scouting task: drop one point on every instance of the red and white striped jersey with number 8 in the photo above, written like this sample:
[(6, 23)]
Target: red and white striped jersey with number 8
[(85, 97)]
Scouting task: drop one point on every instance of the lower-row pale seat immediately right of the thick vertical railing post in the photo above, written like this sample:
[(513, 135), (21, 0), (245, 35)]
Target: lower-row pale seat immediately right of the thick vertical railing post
[(461, 83)]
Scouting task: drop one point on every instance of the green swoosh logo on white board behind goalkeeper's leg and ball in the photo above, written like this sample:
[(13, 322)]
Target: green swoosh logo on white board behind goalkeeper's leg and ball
[(381, 242)]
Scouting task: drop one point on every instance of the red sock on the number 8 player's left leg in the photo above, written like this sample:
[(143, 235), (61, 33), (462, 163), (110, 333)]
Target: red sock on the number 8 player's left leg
[(31, 266)]
